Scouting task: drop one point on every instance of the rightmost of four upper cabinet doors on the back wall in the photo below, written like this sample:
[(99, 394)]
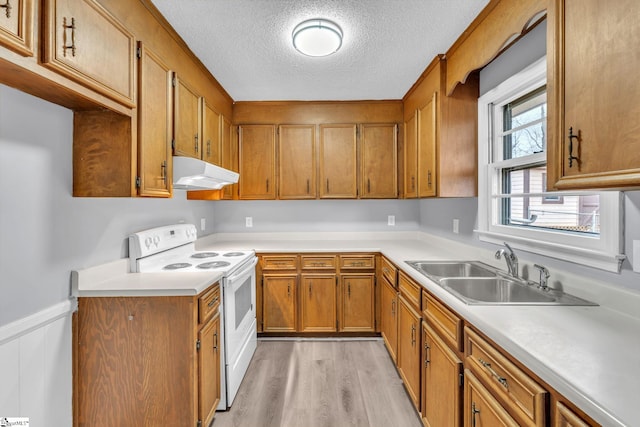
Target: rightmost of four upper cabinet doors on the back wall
[(379, 161)]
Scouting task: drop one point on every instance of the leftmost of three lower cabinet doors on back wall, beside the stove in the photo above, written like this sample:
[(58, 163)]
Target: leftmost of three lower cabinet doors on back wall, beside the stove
[(279, 295)]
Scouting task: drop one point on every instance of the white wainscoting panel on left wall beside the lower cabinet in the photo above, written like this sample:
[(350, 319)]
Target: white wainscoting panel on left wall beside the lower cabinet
[(36, 367)]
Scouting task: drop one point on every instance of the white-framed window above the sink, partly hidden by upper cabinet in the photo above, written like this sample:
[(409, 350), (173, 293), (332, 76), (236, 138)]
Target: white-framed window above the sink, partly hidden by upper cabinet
[(513, 203)]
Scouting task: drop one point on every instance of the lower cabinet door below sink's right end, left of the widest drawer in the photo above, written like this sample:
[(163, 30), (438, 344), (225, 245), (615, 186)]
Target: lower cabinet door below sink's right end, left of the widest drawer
[(441, 382)]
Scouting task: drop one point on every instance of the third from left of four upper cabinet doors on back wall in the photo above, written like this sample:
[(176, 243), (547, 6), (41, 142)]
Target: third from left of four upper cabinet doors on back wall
[(338, 161)]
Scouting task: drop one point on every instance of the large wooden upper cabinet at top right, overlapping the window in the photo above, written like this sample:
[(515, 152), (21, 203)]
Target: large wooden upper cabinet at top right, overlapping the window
[(593, 108)]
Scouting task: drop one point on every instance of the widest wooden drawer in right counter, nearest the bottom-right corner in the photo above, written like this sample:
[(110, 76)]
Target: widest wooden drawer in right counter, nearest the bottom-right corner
[(522, 396)]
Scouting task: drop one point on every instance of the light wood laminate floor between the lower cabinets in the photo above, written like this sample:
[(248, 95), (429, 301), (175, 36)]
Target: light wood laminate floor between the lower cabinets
[(320, 384)]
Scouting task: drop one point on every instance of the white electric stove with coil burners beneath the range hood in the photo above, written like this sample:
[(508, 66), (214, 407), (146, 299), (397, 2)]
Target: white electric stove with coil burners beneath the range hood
[(171, 250)]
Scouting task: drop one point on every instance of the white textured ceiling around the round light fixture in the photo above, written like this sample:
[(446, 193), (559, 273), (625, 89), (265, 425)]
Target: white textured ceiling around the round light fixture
[(246, 44)]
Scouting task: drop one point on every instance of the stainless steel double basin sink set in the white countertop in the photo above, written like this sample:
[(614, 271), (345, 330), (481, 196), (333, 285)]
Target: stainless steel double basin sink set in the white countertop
[(475, 283)]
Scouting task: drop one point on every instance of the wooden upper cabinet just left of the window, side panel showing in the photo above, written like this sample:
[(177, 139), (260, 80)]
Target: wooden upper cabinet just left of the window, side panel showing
[(440, 147)]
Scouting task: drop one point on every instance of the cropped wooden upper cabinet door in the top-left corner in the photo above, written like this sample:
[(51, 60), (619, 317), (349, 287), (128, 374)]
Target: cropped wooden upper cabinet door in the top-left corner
[(16, 26)]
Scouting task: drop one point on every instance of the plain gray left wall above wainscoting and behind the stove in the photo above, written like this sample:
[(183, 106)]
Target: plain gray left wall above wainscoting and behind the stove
[(45, 232)]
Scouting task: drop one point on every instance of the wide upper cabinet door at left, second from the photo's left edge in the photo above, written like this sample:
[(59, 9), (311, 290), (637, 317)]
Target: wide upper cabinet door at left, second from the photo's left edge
[(84, 42)]
